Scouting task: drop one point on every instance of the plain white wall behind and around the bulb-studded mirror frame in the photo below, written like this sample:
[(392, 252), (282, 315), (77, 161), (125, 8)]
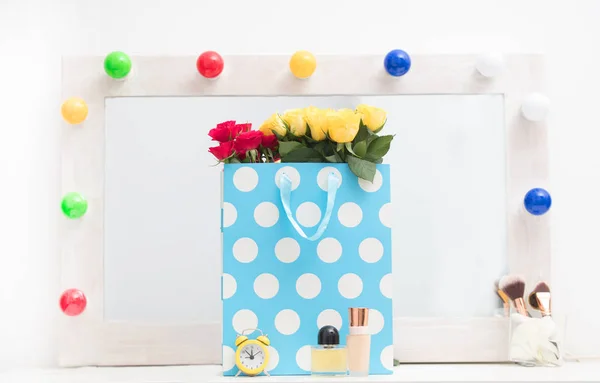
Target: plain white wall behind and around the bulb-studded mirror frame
[(34, 34)]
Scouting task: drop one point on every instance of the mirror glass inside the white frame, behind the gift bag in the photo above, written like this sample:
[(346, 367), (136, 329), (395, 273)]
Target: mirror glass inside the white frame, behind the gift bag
[(162, 199)]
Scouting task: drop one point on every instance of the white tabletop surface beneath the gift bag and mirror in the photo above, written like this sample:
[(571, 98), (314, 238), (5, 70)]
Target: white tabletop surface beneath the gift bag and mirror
[(572, 371)]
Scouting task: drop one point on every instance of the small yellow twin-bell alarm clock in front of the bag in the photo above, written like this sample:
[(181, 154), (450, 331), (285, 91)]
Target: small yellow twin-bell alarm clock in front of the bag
[(252, 355)]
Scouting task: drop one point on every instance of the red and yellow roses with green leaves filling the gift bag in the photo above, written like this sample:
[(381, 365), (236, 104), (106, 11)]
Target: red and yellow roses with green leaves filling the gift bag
[(309, 135)]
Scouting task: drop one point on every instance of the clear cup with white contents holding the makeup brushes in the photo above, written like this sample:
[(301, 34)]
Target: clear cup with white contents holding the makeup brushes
[(536, 341)]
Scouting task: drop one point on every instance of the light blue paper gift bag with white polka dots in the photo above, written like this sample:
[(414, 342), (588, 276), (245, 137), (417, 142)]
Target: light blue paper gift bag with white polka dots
[(302, 243)]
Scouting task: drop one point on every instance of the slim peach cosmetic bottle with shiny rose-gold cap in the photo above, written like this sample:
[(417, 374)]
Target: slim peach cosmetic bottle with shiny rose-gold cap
[(358, 342)]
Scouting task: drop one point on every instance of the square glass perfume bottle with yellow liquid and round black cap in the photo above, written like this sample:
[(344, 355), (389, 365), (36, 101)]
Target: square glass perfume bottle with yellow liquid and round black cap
[(329, 358)]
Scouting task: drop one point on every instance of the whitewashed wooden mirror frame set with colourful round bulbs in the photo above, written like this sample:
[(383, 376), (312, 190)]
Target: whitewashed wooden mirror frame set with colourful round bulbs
[(88, 340)]
